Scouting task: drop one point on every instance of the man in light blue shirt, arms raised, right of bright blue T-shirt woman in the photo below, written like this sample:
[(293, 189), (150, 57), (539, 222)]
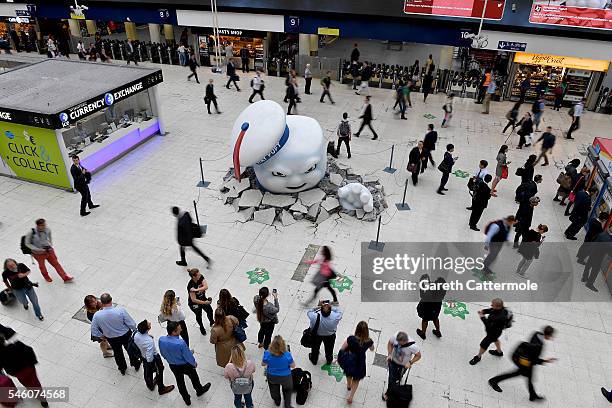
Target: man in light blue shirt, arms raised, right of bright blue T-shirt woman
[(325, 319)]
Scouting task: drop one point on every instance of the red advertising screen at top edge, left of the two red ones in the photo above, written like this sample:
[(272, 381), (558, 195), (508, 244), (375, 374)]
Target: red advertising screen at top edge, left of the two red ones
[(456, 8)]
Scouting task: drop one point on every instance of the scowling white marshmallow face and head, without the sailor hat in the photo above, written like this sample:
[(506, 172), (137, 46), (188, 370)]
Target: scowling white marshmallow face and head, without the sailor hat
[(300, 164)]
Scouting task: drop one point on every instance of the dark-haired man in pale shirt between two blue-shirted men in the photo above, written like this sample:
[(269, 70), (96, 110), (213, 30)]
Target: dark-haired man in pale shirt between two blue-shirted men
[(153, 366)]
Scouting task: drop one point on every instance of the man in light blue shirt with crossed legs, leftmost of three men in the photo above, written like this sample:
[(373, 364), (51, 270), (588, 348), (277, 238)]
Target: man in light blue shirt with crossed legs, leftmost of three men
[(114, 323)]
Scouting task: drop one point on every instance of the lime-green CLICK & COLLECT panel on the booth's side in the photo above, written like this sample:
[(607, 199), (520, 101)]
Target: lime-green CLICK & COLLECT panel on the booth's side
[(32, 153)]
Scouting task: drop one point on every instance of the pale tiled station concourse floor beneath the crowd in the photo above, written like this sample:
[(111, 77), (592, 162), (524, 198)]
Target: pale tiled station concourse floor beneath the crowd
[(127, 247)]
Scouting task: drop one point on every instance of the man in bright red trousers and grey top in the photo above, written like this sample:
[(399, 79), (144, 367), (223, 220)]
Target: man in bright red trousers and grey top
[(40, 242)]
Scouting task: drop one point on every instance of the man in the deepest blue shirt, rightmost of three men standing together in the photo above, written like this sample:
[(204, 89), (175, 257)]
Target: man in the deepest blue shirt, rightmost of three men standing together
[(181, 361)]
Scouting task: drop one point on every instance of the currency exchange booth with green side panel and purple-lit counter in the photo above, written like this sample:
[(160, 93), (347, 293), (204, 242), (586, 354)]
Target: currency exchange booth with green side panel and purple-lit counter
[(54, 109)]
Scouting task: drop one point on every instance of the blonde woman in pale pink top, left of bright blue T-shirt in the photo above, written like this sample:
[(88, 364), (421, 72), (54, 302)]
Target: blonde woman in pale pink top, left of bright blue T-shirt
[(239, 371)]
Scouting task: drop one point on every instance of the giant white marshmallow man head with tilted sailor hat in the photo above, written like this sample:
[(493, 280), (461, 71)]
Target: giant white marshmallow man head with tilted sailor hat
[(288, 153)]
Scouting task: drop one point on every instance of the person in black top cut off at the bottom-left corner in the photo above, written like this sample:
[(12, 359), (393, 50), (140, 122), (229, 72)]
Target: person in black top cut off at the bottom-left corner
[(19, 360)]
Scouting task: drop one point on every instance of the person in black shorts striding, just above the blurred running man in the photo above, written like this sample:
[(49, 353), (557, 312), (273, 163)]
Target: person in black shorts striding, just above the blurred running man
[(495, 319)]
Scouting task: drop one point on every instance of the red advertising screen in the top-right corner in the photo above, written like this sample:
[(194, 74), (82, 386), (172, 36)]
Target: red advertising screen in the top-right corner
[(573, 13)]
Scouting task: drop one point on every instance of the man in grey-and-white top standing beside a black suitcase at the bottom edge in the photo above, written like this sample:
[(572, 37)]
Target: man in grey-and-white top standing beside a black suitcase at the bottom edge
[(402, 354)]
